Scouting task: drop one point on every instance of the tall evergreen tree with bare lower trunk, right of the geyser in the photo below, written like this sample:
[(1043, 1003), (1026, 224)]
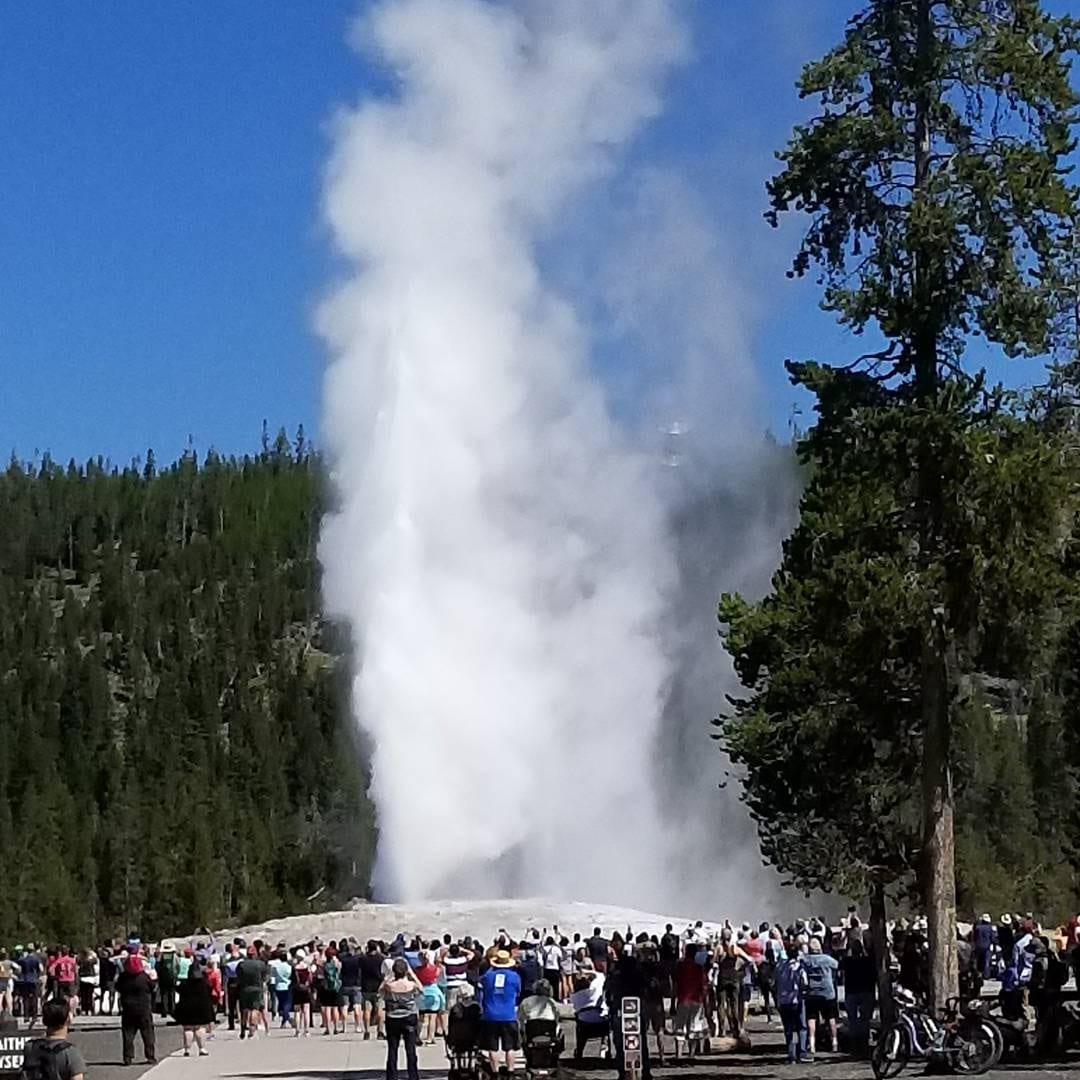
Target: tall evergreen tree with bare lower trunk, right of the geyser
[(934, 183)]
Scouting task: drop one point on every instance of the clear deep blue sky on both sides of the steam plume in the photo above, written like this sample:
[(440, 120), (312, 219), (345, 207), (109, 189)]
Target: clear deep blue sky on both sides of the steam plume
[(160, 246)]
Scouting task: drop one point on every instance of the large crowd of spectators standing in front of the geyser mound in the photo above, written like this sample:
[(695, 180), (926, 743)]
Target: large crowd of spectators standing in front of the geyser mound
[(695, 985)]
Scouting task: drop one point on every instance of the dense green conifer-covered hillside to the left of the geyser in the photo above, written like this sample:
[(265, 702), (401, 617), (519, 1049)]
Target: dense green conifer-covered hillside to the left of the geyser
[(174, 751)]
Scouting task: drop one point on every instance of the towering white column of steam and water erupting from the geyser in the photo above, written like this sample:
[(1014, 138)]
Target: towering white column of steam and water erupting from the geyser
[(501, 548)]
